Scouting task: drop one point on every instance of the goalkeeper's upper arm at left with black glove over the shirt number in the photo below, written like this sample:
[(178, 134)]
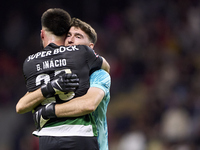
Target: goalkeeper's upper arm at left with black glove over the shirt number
[(64, 83)]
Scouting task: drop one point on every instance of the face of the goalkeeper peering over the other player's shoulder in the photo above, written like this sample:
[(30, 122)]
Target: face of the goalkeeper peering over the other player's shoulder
[(76, 36)]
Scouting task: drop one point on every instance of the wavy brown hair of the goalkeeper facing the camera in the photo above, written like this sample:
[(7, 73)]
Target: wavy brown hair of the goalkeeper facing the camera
[(86, 28)]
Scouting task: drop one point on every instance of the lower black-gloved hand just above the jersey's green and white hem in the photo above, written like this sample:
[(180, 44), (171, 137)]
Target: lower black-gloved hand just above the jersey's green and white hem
[(42, 114)]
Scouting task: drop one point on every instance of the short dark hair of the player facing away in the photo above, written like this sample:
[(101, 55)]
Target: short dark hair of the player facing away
[(56, 20)]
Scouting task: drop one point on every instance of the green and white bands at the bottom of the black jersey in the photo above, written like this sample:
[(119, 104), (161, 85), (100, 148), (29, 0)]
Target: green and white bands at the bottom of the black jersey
[(79, 126)]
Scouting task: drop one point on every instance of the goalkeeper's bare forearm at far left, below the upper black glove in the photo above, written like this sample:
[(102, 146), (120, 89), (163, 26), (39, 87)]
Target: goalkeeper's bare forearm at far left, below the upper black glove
[(29, 101)]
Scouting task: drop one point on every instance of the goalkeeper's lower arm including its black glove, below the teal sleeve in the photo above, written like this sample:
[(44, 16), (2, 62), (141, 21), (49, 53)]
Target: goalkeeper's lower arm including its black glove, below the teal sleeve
[(77, 107)]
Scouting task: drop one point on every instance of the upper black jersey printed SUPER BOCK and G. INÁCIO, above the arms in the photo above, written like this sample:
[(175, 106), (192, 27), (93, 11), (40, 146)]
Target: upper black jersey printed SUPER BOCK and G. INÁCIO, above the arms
[(43, 66)]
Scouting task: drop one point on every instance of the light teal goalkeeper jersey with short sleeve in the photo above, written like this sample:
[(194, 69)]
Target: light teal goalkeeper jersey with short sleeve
[(101, 79)]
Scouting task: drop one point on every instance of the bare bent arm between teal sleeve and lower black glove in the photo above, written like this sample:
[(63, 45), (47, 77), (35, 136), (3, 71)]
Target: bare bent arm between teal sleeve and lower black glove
[(81, 105)]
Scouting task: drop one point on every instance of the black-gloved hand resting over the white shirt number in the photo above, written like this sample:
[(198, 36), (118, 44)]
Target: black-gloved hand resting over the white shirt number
[(64, 83)]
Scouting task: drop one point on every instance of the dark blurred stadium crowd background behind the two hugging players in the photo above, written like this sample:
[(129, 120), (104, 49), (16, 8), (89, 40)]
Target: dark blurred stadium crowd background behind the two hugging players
[(153, 47)]
